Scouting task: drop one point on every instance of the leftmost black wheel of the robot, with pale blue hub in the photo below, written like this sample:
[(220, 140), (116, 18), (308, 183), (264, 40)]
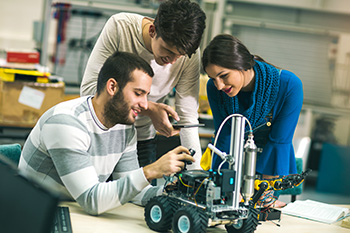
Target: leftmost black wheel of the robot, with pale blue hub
[(159, 212)]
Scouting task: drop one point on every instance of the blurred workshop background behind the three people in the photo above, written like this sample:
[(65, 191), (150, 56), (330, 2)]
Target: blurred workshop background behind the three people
[(309, 37)]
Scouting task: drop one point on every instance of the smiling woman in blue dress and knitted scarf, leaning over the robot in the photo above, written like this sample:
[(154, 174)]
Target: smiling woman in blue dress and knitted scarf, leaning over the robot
[(269, 97)]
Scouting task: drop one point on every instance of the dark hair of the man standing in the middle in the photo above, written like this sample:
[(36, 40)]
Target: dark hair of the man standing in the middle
[(180, 23)]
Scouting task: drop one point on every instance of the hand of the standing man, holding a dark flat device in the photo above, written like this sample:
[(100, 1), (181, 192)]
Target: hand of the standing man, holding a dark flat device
[(159, 114)]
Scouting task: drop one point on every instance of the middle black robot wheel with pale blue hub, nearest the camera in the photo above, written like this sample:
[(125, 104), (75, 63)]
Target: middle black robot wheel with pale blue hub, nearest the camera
[(190, 219)]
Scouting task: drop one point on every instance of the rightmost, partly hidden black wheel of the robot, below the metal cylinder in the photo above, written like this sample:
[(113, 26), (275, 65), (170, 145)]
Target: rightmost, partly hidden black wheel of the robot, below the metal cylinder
[(247, 225)]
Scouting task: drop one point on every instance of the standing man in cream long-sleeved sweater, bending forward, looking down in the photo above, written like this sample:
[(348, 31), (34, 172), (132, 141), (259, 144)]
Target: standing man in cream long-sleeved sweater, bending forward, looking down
[(170, 44)]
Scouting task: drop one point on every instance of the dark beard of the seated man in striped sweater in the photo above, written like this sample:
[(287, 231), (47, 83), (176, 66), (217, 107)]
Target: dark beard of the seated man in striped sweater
[(117, 111)]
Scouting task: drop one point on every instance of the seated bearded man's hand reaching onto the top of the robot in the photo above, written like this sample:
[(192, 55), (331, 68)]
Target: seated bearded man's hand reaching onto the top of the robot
[(170, 163)]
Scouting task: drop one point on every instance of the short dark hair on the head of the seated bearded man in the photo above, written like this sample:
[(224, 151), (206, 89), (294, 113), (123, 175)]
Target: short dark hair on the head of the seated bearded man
[(119, 66)]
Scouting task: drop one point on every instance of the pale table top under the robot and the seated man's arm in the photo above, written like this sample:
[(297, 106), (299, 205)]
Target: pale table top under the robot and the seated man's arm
[(130, 218)]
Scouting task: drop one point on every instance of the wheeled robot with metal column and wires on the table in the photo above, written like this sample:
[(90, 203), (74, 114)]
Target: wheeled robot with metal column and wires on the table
[(196, 199)]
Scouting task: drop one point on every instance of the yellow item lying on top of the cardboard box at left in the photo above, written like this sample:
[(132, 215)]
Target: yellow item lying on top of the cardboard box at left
[(8, 75)]
